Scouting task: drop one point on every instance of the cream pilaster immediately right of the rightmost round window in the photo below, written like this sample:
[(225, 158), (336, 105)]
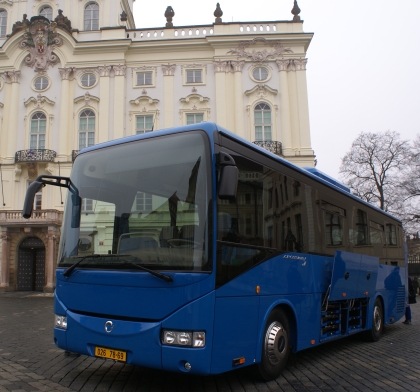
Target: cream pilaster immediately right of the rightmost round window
[(286, 129)]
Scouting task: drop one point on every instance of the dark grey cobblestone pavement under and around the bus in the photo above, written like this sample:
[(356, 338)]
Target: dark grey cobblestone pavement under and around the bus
[(29, 361)]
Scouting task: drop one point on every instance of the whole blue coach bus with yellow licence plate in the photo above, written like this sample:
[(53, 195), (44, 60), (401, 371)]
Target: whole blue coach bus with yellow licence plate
[(192, 250)]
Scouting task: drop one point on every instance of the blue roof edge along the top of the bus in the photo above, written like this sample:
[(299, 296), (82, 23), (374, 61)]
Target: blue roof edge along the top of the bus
[(210, 128)]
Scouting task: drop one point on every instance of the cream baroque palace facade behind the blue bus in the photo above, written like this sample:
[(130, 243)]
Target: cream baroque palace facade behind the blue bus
[(77, 73)]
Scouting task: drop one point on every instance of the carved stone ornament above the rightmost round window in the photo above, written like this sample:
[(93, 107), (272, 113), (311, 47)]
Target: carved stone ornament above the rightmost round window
[(261, 56)]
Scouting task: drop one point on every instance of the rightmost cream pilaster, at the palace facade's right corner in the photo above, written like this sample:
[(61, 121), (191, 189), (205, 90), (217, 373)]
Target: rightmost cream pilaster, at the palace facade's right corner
[(302, 95)]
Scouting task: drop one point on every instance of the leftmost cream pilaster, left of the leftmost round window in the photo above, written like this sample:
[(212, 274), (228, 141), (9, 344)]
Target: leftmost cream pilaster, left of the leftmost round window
[(13, 113)]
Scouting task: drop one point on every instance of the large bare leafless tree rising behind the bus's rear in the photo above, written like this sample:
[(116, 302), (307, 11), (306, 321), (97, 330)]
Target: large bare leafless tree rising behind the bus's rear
[(372, 167)]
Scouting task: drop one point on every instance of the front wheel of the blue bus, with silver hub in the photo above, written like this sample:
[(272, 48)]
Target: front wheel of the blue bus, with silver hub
[(276, 346)]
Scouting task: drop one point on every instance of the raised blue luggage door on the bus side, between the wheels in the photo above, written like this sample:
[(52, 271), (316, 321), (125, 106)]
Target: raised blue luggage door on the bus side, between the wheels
[(354, 276)]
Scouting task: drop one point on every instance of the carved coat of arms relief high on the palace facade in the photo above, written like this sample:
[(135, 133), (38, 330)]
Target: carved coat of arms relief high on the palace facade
[(40, 39)]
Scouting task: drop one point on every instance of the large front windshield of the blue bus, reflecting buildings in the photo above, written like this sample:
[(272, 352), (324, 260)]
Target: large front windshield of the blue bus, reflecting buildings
[(145, 201)]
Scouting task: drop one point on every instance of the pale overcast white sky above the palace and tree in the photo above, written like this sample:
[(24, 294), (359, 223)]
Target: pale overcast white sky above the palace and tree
[(363, 68)]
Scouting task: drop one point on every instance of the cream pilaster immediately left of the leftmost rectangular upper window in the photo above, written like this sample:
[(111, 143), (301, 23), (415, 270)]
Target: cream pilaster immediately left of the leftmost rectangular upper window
[(119, 101)]
